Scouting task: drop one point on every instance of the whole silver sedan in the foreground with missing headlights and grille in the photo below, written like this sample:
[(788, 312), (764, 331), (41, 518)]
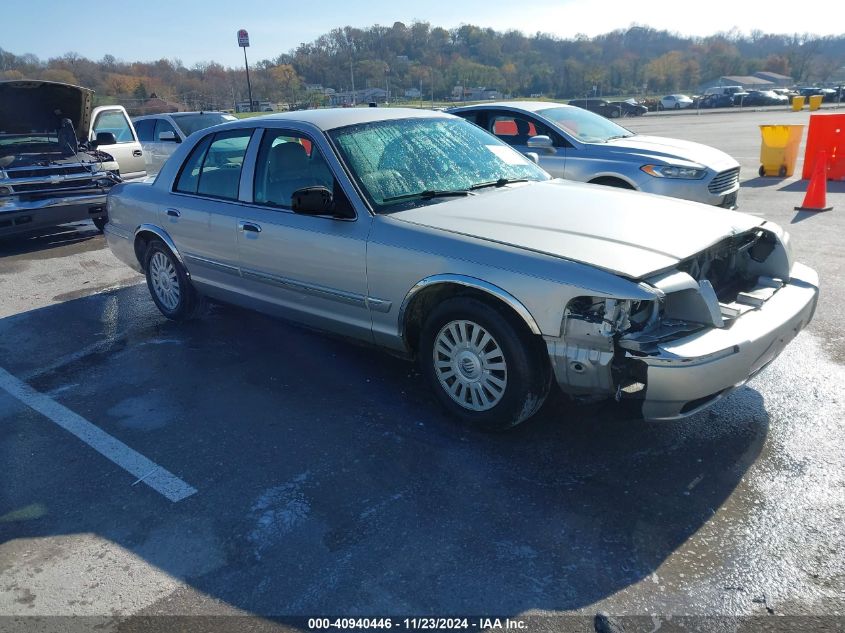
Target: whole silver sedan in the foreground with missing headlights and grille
[(423, 234)]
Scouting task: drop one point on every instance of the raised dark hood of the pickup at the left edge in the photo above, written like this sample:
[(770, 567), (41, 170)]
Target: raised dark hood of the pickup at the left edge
[(29, 104)]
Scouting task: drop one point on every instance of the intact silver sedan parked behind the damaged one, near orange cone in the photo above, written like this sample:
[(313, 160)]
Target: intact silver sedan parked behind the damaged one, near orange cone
[(576, 144)]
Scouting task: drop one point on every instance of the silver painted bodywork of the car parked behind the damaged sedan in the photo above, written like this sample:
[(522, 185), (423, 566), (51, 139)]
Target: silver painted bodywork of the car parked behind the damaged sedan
[(621, 158)]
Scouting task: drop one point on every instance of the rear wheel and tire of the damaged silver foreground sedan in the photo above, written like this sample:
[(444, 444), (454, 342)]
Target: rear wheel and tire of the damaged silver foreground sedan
[(168, 283)]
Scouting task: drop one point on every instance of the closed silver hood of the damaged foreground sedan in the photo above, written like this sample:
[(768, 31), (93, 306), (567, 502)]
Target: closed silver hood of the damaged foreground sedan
[(626, 232)]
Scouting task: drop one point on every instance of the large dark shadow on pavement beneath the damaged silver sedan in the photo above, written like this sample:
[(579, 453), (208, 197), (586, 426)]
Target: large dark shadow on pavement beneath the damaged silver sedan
[(328, 480)]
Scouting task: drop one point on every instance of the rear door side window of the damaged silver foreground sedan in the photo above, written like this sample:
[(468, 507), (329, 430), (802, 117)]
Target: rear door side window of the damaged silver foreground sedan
[(214, 166)]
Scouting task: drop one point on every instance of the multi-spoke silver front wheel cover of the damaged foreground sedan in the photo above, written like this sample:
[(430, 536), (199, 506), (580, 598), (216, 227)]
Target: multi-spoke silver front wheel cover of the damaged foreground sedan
[(470, 365)]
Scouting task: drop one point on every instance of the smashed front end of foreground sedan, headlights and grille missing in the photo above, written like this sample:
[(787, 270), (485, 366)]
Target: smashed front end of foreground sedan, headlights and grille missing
[(686, 337)]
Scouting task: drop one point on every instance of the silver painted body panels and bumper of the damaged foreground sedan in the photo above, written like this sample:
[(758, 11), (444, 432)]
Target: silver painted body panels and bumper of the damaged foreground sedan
[(358, 276)]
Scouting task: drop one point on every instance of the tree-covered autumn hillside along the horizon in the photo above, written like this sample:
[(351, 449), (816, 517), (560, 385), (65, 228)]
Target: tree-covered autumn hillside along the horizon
[(634, 61)]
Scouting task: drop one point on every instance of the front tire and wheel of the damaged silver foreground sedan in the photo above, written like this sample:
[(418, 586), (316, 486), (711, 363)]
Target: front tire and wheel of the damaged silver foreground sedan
[(486, 370)]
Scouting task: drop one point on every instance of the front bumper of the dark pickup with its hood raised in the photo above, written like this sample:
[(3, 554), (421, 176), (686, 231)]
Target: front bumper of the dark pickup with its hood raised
[(19, 216)]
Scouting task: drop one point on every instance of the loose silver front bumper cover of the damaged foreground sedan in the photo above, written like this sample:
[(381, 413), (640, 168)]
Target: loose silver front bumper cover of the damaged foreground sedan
[(692, 373)]
